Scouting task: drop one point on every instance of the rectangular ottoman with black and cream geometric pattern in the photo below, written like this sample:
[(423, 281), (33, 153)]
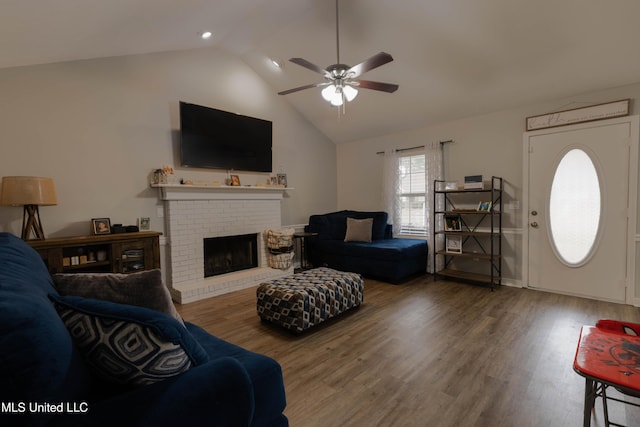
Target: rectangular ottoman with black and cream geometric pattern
[(305, 299)]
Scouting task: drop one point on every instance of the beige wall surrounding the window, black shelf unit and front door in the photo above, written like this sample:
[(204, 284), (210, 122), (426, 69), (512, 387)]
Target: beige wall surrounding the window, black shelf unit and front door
[(489, 145)]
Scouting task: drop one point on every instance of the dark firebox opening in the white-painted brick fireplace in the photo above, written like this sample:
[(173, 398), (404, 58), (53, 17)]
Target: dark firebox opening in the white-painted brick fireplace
[(230, 253)]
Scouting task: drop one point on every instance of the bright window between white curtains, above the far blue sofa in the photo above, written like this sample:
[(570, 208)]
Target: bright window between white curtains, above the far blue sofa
[(412, 194)]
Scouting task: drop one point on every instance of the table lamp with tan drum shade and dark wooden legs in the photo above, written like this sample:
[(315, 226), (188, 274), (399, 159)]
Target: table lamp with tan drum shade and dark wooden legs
[(30, 192)]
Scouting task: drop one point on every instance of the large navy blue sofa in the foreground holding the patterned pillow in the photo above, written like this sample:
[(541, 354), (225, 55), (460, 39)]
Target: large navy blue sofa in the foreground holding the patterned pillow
[(46, 380)]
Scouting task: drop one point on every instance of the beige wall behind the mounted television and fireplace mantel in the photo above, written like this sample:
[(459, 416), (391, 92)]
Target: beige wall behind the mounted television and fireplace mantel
[(99, 127)]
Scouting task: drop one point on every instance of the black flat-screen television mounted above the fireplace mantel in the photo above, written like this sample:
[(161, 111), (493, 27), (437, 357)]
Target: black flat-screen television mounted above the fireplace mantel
[(217, 139)]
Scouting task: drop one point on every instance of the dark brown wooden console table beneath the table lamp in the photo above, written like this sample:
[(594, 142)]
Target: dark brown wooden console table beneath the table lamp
[(109, 253)]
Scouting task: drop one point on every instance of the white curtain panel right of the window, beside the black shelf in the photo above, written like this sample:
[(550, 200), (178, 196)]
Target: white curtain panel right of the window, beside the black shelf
[(434, 170)]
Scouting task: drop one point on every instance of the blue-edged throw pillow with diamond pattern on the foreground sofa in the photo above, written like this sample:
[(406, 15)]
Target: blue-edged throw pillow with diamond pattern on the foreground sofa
[(128, 344)]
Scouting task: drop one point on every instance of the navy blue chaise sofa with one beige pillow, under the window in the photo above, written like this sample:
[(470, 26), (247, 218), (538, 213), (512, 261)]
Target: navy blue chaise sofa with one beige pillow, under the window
[(384, 257)]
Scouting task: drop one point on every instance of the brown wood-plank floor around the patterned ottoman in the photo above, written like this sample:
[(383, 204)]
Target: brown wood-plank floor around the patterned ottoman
[(428, 353)]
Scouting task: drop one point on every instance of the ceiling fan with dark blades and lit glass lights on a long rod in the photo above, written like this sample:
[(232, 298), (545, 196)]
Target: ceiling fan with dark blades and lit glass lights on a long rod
[(341, 81)]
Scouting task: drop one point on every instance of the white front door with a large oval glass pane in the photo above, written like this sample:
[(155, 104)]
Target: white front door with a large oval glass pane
[(577, 230)]
